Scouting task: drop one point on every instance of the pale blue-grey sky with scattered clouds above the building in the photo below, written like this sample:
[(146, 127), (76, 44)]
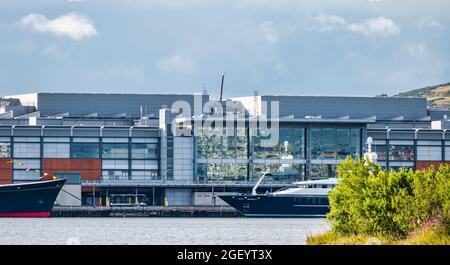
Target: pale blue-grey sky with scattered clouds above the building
[(277, 47)]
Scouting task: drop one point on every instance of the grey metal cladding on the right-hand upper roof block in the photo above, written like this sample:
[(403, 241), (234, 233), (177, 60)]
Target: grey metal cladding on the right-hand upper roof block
[(355, 107)]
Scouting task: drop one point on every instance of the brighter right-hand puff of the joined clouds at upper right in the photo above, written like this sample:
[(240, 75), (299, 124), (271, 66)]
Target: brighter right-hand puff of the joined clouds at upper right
[(379, 25)]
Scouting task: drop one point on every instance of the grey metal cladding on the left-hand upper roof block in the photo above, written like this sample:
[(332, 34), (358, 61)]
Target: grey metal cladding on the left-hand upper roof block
[(107, 104)]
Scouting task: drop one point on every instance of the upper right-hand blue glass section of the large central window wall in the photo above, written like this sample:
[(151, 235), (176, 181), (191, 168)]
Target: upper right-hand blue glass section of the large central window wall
[(335, 143)]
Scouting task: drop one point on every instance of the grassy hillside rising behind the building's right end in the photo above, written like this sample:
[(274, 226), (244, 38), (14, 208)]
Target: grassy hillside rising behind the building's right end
[(438, 96)]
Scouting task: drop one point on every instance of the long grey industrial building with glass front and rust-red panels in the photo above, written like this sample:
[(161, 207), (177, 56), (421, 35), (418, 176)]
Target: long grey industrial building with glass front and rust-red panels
[(128, 149)]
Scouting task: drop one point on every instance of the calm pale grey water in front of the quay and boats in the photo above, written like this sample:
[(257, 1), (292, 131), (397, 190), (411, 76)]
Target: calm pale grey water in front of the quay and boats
[(161, 231)]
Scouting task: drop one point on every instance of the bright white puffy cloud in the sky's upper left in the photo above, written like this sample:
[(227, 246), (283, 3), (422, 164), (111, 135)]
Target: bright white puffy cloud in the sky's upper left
[(72, 25)]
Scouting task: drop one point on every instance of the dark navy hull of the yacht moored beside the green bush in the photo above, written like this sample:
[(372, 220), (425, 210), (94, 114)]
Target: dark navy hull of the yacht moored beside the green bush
[(278, 206)]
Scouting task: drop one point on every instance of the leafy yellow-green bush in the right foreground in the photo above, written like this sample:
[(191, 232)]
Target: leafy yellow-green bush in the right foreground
[(370, 200)]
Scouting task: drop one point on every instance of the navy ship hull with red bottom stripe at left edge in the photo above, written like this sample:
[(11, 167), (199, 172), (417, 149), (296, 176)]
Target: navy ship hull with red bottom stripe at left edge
[(35, 199)]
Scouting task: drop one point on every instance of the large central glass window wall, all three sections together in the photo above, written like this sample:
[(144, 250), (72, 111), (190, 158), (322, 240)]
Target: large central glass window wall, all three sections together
[(327, 143)]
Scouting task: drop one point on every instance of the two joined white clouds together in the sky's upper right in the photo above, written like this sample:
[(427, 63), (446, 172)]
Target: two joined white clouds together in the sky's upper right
[(371, 26)]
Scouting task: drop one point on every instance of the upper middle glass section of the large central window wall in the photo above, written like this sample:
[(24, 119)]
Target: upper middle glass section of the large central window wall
[(291, 145)]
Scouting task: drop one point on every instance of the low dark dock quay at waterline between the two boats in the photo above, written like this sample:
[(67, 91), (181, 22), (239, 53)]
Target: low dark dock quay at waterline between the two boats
[(145, 211)]
